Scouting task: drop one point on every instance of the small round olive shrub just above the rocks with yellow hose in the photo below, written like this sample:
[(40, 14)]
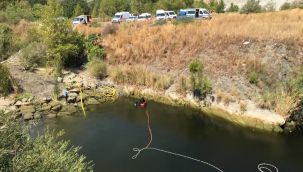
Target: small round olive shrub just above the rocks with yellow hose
[(97, 68)]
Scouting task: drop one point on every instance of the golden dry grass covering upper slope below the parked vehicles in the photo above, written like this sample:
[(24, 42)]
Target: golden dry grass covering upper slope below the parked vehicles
[(175, 45)]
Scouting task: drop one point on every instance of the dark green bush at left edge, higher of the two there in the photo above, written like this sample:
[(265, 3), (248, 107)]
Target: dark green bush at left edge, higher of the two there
[(6, 41)]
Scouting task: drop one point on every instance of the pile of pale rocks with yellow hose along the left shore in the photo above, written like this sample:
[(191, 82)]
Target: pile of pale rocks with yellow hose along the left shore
[(29, 108)]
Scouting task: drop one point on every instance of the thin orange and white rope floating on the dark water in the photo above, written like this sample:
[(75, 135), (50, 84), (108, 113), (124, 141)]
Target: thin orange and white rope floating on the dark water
[(263, 167)]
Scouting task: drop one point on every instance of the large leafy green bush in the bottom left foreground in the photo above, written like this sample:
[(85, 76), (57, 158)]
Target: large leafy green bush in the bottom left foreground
[(48, 152)]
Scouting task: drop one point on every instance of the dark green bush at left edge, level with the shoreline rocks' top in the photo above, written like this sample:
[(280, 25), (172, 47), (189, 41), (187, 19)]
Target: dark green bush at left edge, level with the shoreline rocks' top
[(5, 81)]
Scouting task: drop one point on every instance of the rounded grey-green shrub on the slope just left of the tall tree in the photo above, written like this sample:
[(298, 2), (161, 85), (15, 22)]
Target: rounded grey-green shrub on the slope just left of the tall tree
[(33, 55)]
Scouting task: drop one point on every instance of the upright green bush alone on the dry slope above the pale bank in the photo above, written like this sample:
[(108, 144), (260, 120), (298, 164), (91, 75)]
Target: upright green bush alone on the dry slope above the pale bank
[(201, 85)]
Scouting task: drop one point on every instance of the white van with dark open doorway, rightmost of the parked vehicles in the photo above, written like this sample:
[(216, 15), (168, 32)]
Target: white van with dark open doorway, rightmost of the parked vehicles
[(196, 13)]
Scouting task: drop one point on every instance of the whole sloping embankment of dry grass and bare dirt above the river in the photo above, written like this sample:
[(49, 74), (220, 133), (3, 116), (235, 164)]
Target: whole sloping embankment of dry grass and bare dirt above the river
[(248, 58)]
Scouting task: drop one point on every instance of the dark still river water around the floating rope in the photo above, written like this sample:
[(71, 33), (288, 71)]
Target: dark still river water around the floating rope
[(110, 132)]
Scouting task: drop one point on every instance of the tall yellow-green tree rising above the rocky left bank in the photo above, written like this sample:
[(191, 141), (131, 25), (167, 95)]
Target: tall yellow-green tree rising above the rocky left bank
[(65, 47)]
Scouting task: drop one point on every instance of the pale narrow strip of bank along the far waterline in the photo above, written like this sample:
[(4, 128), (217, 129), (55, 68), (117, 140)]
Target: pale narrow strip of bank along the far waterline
[(253, 117)]
